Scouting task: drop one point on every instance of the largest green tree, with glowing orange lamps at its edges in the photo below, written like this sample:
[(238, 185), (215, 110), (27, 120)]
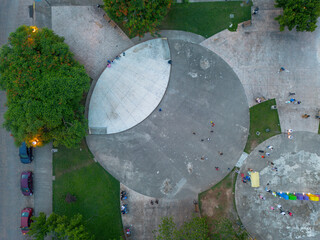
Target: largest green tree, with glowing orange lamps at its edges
[(44, 86)]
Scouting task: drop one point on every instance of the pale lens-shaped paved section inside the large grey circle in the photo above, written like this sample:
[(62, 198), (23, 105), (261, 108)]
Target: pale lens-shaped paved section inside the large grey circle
[(133, 86)]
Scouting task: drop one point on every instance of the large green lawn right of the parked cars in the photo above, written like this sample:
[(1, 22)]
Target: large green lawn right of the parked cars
[(97, 192)]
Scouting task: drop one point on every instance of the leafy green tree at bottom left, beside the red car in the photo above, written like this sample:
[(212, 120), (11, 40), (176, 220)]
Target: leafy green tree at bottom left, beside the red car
[(58, 227)]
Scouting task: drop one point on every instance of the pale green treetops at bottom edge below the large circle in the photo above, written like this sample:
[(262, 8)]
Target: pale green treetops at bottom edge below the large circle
[(196, 228)]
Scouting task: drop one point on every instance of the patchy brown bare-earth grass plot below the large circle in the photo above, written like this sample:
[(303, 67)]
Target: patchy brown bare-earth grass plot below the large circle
[(218, 204)]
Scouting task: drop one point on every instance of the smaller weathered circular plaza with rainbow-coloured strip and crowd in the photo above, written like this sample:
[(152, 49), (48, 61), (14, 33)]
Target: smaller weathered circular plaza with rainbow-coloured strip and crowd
[(298, 164)]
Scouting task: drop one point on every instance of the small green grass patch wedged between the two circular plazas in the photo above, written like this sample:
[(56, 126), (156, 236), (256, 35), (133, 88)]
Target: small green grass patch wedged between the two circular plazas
[(262, 117)]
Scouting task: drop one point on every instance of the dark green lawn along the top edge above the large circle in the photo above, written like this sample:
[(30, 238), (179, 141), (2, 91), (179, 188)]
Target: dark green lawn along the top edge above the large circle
[(206, 18)]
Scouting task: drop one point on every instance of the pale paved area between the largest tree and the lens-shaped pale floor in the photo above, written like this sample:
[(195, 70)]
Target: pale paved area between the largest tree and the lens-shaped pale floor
[(89, 36)]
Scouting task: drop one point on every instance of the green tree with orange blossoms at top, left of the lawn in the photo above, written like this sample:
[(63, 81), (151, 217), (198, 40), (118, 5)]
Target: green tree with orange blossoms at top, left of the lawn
[(138, 16)]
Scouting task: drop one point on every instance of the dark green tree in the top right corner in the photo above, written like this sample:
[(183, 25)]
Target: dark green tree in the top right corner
[(299, 14)]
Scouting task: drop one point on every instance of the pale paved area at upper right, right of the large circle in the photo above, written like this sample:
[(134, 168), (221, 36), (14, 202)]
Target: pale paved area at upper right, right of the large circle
[(256, 54)]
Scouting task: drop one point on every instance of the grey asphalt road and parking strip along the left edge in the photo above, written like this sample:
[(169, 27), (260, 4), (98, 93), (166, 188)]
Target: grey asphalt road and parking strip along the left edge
[(14, 13)]
